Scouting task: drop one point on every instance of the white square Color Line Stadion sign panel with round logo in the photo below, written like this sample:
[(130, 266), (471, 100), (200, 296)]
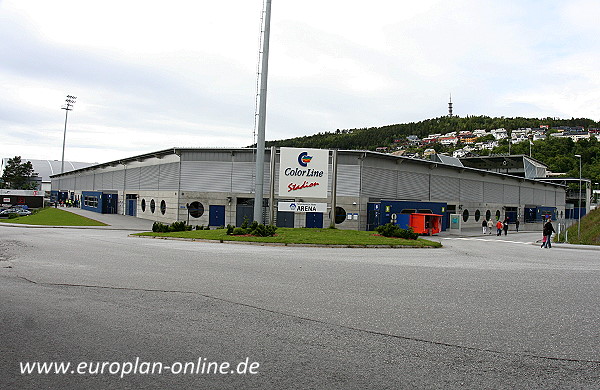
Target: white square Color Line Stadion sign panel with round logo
[(303, 172)]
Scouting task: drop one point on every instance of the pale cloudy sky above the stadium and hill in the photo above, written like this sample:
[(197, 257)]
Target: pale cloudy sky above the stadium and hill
[(150, 75)]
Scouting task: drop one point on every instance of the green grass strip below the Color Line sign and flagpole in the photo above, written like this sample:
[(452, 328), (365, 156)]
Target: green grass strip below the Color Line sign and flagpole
[(305, 236)]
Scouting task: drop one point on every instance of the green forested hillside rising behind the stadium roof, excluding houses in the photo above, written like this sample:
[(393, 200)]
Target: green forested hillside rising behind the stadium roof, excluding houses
[(557, 153)]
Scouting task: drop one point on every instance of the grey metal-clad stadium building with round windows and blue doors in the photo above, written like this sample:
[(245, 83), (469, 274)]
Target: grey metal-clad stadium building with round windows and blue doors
[(215, 187)]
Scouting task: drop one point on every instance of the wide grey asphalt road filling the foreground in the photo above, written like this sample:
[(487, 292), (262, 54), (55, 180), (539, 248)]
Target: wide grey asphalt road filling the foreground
[(479, 313)]
